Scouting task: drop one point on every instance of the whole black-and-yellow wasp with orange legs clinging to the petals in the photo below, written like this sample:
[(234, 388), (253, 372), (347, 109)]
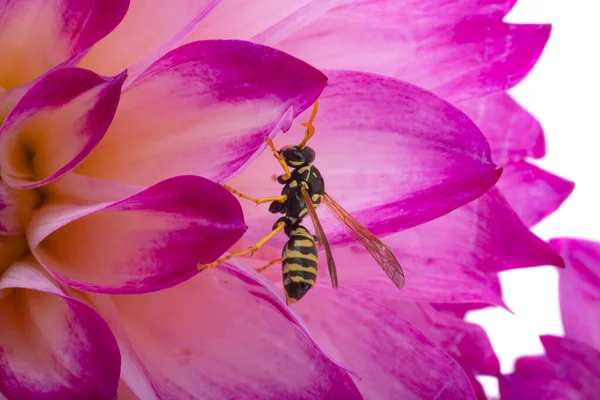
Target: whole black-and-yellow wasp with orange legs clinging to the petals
[(302, 193)]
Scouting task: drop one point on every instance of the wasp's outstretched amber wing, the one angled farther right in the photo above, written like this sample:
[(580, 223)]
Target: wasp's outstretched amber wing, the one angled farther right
[(380, 252)]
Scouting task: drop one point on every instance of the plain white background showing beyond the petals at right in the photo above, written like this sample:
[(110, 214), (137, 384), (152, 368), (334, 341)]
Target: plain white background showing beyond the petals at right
[(563, 92)]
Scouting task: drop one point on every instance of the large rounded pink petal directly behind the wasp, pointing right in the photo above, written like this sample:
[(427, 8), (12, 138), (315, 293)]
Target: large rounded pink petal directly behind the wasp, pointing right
[(392, 154)]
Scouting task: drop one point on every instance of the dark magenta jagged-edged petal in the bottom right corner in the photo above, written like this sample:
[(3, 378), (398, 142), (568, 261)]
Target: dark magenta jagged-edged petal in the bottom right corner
[(570, 371)]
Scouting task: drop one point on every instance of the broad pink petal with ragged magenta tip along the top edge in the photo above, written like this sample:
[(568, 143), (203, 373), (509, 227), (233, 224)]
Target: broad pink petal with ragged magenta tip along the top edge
[(459, 50)]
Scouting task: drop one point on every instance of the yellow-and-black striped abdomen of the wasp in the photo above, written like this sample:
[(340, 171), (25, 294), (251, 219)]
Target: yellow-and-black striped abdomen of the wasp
[(299, 262)]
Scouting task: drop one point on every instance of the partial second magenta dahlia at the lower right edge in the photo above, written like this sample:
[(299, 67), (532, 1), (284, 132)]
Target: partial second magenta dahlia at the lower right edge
[(570, 369)]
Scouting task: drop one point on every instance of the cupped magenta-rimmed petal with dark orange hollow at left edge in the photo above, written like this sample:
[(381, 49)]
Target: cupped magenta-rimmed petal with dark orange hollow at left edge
[(56, 125)]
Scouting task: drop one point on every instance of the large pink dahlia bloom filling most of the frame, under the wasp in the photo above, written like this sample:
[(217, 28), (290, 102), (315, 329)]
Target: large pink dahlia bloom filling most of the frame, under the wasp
[(118, 120)]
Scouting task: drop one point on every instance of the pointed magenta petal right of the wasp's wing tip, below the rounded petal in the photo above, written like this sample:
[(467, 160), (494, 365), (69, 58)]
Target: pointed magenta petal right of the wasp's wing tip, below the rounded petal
[(486, 234)]
